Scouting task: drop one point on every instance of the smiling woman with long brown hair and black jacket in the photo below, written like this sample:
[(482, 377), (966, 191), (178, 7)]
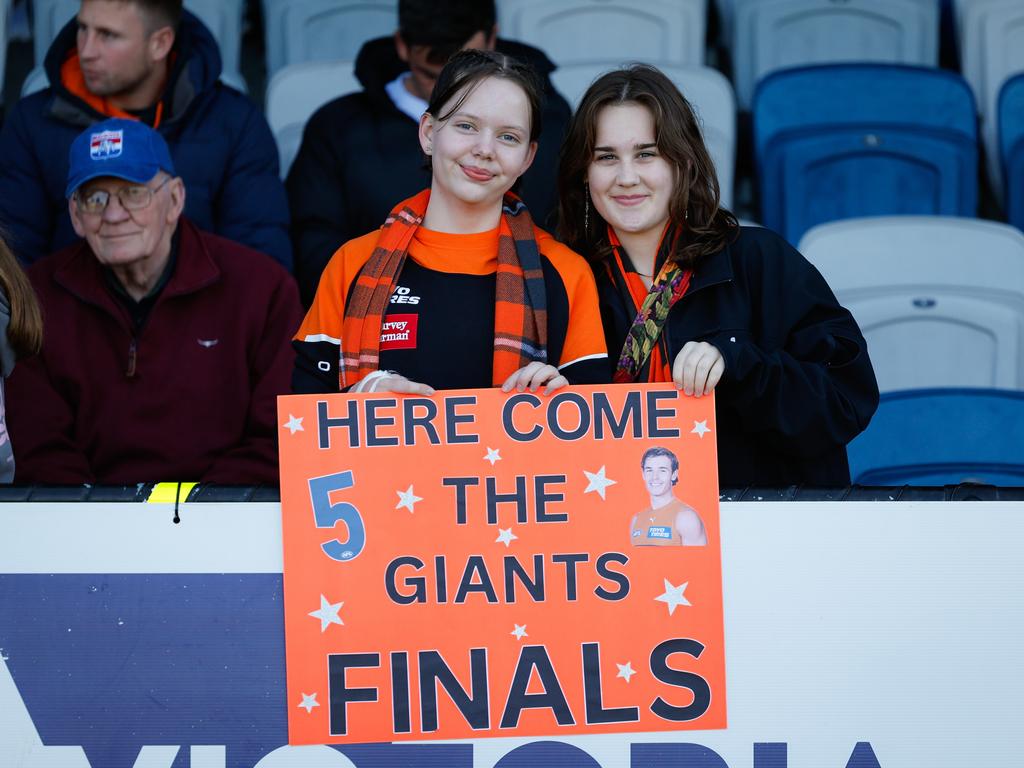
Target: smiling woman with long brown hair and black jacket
[(690, 296)]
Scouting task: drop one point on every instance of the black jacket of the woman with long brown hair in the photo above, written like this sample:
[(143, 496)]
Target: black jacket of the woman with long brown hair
[(798, 385)]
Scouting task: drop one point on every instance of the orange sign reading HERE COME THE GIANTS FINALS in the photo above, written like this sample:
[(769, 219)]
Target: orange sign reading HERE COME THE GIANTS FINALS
[(478, 564)]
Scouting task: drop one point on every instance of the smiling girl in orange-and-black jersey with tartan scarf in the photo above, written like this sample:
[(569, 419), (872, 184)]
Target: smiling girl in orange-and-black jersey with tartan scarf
[(458, 288)]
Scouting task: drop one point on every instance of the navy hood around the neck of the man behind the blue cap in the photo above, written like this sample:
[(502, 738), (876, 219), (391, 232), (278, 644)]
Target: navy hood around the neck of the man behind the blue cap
[(196, 68)]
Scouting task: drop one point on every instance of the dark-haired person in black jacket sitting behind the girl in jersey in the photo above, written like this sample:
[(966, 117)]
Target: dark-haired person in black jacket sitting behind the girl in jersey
[(361, 153)]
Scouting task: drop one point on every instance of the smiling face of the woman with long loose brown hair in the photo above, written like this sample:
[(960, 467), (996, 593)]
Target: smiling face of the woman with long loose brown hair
[(631, 184)]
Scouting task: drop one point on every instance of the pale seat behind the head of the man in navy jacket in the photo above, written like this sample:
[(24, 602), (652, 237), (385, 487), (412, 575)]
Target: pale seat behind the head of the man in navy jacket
[(223, 18)]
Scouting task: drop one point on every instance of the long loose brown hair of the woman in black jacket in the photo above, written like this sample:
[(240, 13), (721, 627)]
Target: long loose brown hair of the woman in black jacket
[(696, 201)]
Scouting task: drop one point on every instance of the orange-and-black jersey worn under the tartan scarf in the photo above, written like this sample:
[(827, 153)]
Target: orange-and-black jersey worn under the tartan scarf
[(440, 327)]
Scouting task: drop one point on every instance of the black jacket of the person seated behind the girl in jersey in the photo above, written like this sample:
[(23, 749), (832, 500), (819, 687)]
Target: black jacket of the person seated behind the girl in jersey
[(361, 156)]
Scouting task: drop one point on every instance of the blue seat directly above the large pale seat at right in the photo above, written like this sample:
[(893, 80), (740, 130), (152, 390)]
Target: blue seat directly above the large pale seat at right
[(836, 142)]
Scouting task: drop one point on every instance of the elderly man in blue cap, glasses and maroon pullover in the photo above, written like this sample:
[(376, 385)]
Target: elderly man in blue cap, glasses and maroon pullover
[(164, 347)]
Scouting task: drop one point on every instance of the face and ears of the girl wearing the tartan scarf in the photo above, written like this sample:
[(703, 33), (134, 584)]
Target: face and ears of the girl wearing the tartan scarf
[(480, 151)]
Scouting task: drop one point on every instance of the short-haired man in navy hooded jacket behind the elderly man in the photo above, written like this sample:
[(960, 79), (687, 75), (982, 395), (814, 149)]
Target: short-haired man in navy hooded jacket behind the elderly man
[(150, 61)]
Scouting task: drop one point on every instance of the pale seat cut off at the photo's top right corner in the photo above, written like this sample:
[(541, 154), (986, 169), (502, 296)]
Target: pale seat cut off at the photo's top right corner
[(993, 50)]
